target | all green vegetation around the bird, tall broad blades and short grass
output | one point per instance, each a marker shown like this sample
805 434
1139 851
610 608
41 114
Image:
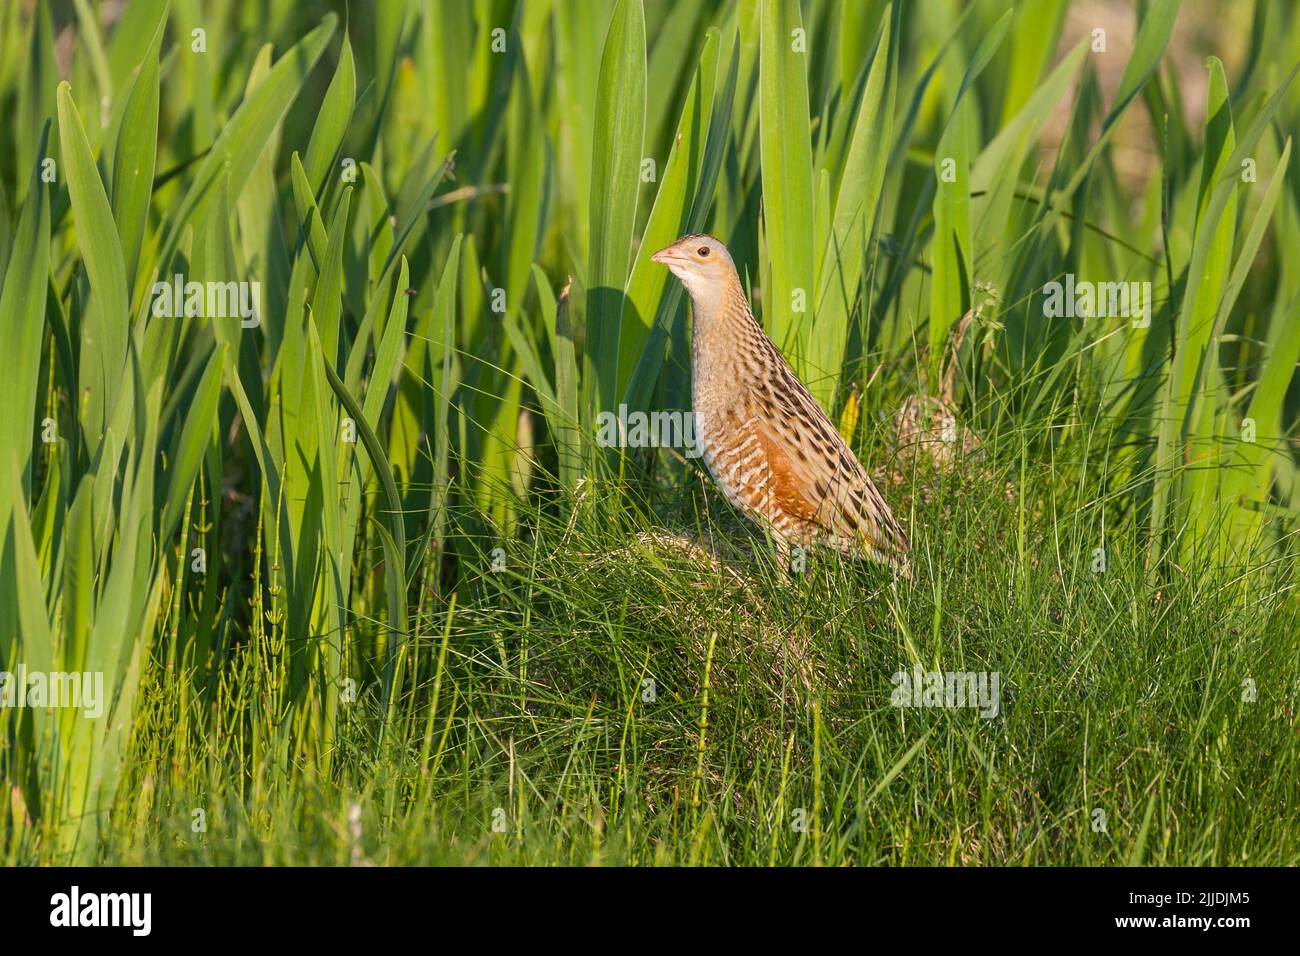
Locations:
365 590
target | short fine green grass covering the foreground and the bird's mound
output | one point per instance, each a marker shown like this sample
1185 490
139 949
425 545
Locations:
531 703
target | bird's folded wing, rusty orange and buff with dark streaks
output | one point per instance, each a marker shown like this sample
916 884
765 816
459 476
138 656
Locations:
814 475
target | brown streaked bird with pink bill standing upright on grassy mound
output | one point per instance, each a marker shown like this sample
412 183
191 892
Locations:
765 440
